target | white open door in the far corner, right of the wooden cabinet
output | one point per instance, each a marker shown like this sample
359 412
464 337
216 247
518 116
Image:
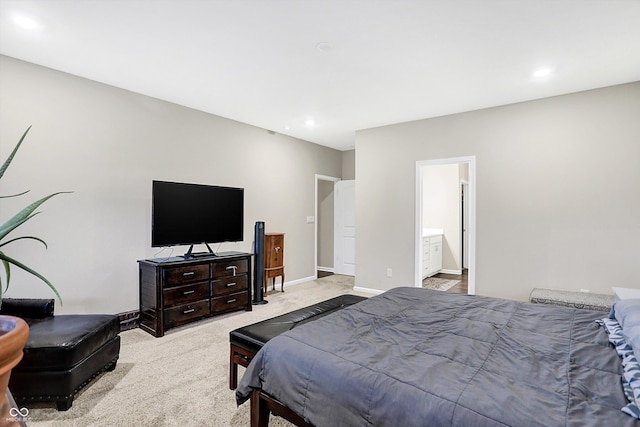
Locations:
344 251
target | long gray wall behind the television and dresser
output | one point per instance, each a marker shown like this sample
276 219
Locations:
107 145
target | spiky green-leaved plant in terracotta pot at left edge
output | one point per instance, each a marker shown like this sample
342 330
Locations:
14 331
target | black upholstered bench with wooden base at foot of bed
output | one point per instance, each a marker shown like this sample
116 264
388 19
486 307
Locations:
248 340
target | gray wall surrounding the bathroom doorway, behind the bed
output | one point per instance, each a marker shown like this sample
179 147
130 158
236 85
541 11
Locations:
558 193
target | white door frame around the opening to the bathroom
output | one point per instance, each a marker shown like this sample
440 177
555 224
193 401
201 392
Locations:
420 164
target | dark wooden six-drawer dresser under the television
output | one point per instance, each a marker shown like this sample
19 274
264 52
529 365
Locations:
176 291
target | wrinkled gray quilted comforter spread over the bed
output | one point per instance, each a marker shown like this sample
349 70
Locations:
414 357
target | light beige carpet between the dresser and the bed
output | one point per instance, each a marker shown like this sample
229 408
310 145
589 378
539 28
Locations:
181 379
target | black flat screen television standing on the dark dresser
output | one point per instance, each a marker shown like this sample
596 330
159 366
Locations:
190 214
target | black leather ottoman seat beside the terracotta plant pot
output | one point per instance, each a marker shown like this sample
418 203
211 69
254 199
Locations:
63 353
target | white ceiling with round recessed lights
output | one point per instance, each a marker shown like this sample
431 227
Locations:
384 61
